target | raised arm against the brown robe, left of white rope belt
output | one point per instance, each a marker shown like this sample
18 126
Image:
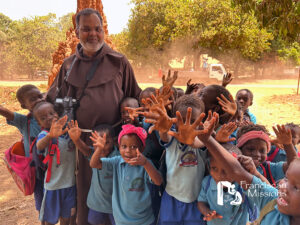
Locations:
75 133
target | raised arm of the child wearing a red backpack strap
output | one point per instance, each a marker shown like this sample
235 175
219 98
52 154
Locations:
56 130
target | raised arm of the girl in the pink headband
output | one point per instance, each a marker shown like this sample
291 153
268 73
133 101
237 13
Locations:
99 143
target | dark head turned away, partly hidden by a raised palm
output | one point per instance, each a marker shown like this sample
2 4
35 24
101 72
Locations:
209 96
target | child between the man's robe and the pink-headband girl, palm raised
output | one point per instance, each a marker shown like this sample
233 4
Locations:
99 197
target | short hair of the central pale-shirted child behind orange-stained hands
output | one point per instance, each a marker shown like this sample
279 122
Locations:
186 101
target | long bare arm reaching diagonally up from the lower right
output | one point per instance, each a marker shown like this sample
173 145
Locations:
230 164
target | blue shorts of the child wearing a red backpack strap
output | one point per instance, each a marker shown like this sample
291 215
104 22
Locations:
58 203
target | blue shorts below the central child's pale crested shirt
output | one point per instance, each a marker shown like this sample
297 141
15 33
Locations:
175 212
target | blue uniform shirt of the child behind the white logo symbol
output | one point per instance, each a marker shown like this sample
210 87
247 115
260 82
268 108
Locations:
232 214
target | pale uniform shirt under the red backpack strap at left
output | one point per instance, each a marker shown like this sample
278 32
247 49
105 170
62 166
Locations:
62 175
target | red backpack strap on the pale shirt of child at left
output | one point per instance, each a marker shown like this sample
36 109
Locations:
52 150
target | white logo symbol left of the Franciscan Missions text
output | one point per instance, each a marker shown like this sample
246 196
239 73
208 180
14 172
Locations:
231 190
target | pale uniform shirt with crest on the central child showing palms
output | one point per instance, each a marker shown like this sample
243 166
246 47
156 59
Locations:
185 170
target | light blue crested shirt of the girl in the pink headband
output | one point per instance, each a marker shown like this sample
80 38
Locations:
131 200
